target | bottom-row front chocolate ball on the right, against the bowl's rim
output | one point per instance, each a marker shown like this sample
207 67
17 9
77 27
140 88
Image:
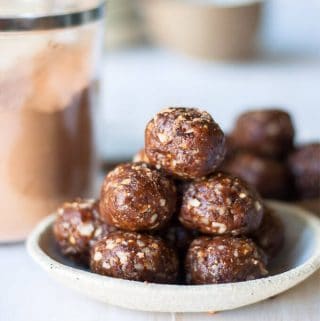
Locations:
224 259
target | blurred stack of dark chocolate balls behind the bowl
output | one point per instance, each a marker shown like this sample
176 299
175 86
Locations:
261 150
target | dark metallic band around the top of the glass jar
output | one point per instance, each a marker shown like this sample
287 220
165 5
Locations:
29 22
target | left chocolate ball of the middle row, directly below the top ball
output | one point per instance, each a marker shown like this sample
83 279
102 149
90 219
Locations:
137 197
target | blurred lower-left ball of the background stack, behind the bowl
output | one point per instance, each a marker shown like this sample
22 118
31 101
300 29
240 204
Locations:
270 177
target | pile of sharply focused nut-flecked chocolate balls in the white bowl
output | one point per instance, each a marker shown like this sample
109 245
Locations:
172 215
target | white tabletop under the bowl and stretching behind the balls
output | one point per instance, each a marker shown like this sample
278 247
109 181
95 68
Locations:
138 83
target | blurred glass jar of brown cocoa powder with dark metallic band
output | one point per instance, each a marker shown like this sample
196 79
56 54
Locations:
49 67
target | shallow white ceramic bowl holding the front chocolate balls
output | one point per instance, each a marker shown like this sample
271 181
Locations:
299 259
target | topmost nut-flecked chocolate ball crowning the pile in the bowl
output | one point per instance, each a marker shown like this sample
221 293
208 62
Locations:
185 142
